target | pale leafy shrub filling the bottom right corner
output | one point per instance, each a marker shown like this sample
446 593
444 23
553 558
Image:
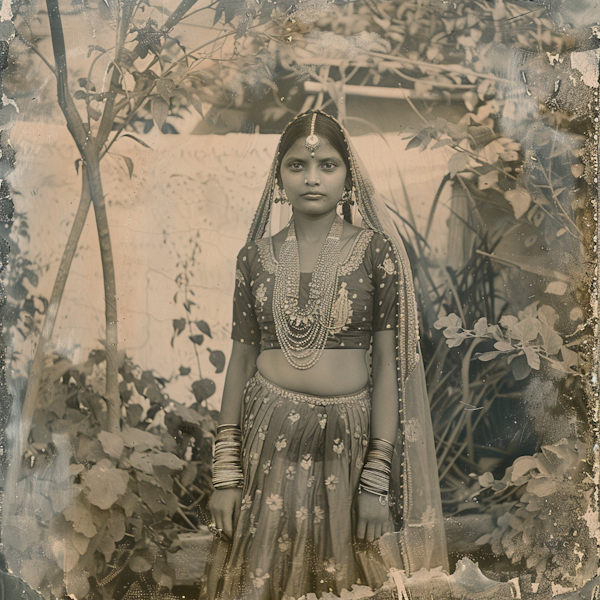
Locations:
547 527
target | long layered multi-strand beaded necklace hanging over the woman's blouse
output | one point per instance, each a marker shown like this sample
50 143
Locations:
302 332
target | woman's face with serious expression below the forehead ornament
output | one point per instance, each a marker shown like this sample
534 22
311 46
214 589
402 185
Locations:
313 185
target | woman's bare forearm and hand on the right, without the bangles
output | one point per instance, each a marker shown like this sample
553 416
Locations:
373 516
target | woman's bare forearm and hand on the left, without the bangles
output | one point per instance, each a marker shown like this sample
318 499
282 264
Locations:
225 504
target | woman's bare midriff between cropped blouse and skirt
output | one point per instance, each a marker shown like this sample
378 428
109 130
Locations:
337 372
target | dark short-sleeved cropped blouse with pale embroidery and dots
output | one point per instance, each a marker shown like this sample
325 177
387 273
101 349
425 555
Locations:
367 299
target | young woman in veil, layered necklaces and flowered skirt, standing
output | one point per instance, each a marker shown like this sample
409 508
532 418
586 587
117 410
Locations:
325 473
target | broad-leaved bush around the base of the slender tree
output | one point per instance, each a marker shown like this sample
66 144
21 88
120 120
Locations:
115 500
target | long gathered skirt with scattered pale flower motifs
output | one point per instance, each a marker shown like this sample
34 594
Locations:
302 457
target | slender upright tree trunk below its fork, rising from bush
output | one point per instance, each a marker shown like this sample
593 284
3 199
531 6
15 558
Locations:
112 397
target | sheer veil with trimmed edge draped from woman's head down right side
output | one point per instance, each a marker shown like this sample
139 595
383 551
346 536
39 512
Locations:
415 481
